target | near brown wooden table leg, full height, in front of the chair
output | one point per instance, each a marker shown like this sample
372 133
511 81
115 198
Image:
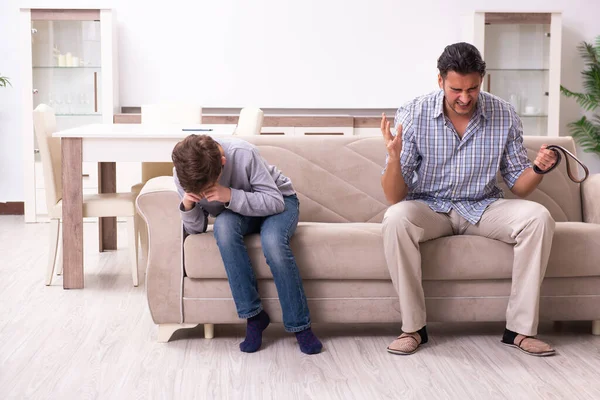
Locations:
72 213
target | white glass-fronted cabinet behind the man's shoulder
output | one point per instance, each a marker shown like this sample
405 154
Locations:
522 52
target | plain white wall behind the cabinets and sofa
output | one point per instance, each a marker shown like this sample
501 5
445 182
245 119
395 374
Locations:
277 53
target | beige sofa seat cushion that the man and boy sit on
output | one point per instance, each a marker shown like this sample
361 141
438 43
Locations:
355 251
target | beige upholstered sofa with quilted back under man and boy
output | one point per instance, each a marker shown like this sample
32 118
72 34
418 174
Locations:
338 246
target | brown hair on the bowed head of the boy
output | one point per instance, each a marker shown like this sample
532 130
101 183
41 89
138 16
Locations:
197 161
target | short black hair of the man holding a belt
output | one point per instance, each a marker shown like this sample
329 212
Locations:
462 58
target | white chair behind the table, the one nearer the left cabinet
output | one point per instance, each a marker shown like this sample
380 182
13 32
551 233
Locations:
168 113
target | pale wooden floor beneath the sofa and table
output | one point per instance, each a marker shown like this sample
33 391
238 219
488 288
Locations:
100 343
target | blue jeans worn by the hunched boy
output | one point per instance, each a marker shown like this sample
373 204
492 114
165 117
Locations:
275 233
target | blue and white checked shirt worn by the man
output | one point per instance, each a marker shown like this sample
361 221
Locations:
448 172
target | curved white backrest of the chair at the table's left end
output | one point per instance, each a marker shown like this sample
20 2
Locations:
44 125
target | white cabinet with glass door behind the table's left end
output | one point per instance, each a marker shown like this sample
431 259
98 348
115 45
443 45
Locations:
66 68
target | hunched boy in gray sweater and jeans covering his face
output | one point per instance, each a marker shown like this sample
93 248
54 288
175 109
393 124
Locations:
227 178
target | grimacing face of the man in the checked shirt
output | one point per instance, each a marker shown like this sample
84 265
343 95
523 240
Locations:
461 91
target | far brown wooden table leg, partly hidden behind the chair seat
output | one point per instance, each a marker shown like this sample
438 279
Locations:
107 226
